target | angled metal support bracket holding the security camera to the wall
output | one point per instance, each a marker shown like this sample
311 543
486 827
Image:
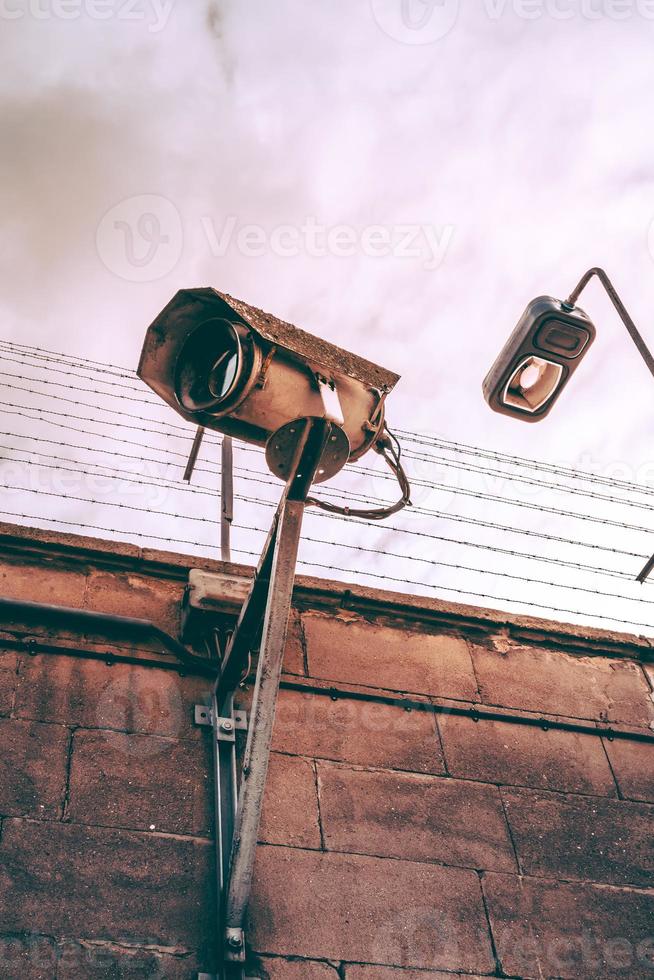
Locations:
262 624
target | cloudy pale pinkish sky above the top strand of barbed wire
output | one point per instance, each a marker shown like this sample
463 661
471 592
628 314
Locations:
398 176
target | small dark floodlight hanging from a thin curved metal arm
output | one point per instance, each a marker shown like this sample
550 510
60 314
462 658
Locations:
545 349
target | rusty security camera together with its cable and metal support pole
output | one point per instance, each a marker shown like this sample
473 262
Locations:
225 365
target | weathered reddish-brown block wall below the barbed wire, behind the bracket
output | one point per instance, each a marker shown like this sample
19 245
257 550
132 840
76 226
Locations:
404 837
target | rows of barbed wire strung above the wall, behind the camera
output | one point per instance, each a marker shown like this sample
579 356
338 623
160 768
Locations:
113 430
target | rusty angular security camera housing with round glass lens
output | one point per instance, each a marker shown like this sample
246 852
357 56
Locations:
226 365
